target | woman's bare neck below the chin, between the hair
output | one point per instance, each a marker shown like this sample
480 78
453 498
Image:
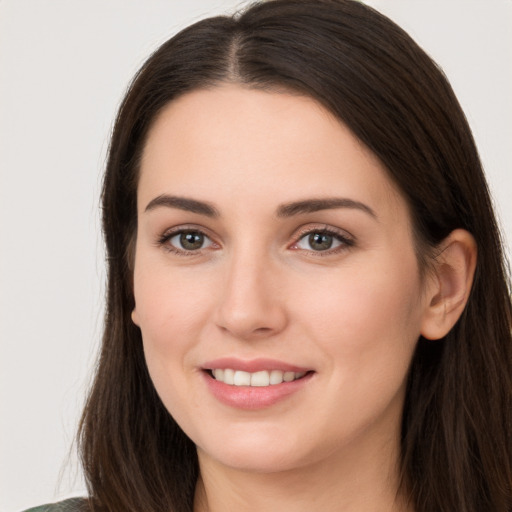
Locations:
354 480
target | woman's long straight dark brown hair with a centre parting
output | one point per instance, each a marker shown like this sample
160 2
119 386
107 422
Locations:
456 430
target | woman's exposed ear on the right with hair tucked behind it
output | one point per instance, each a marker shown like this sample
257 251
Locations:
450 284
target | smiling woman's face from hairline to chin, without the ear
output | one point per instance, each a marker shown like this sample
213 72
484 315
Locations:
272 246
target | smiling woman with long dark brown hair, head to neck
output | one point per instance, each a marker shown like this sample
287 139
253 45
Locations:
307 303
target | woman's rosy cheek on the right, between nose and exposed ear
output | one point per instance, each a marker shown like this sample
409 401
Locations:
366 317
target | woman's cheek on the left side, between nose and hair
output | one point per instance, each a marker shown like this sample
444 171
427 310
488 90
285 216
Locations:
172 308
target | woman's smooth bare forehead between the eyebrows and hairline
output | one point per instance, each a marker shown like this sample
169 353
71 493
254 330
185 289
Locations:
234 142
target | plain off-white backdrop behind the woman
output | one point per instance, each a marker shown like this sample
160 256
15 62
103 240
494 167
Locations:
64 65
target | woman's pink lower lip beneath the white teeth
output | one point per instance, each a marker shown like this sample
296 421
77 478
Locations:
254 397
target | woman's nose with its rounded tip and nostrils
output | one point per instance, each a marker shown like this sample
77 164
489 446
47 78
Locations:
251 304
